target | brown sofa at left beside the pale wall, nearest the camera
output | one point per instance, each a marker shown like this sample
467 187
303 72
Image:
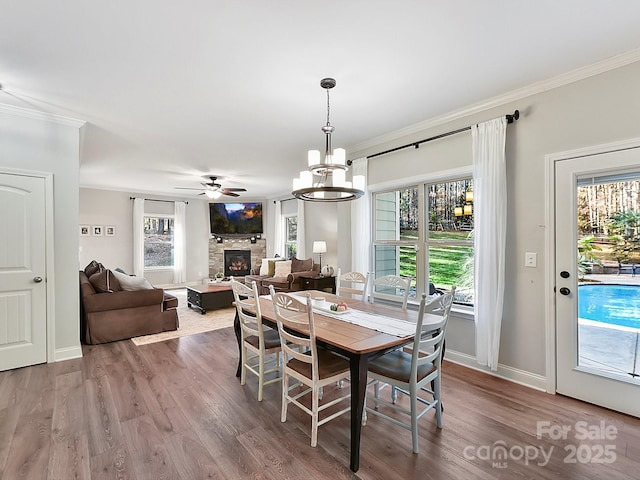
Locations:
109 314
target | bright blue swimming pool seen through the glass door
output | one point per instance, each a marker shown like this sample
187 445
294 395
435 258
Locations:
610 303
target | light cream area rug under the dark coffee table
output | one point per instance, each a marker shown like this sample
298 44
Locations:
191 321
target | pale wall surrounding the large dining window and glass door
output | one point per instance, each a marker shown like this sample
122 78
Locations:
599 109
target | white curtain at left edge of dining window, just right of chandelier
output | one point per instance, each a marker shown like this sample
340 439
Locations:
361 223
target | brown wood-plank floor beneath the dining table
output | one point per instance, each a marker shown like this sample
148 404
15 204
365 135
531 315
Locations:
175 410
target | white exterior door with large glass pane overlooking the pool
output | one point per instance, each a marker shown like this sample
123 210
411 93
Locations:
576 376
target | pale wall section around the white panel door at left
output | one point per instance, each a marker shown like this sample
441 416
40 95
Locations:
34 141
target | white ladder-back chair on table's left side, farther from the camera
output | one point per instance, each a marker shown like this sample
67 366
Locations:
258 342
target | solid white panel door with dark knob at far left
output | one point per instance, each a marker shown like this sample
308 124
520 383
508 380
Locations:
23 321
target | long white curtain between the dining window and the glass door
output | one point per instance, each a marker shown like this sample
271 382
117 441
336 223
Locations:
490 227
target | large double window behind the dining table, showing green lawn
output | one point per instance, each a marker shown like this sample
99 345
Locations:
424 231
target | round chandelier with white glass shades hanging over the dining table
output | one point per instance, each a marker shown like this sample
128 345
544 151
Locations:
325 179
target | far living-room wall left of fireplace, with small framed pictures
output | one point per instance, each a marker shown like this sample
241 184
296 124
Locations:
105 207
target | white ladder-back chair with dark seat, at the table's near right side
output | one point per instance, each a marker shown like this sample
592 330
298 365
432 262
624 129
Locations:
412 372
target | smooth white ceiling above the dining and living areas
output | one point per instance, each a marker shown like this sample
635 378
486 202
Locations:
175 91
